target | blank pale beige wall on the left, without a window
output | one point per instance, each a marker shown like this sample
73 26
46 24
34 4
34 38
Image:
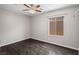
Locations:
13 27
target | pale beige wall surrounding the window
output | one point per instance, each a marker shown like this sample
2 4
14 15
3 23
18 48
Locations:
71 28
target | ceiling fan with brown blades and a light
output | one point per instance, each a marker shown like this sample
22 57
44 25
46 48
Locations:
32 7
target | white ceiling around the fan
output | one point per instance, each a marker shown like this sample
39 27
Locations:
46 7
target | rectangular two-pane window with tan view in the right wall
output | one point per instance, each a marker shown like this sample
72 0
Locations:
56 26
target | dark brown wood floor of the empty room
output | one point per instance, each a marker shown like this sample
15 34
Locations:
34 47
